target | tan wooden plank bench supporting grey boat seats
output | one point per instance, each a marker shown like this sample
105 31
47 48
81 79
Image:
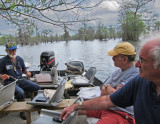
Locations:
27 108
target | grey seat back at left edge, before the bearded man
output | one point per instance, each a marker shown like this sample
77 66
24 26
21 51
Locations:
7 94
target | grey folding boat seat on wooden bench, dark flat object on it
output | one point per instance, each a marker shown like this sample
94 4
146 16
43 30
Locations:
55 100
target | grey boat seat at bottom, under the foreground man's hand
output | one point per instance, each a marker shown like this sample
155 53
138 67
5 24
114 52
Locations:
46 116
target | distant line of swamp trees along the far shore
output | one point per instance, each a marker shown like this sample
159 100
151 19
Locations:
25 37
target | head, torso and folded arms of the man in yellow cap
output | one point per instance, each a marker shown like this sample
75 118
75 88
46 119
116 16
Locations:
123 56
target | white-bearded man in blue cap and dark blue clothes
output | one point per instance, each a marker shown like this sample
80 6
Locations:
12 67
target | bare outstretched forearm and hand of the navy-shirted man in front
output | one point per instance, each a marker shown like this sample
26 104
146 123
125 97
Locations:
100 103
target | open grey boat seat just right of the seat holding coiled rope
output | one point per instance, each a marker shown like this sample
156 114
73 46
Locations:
85 80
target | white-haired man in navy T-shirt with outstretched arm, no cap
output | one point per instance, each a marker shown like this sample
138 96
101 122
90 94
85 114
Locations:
143 91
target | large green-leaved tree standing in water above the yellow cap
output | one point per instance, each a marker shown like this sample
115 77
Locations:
134 18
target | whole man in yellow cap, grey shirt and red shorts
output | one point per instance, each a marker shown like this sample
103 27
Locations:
123 57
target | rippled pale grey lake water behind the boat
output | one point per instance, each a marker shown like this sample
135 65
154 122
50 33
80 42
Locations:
92 53
